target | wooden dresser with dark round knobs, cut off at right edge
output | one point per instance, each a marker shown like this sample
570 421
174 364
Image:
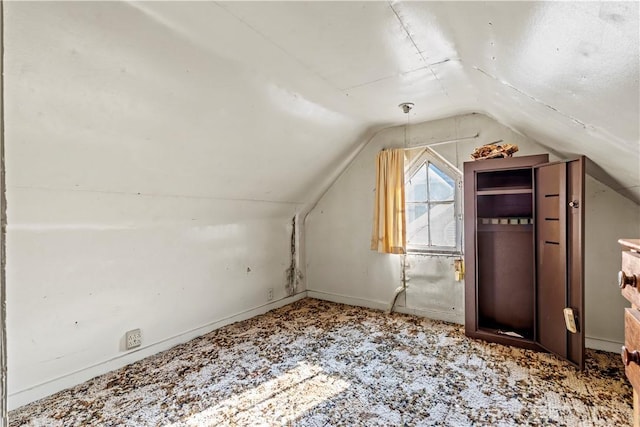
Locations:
628 280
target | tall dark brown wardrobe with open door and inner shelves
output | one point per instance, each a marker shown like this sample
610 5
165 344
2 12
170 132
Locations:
524 234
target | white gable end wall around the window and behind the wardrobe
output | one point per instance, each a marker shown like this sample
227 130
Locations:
341 267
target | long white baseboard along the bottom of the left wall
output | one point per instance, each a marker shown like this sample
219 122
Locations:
47 388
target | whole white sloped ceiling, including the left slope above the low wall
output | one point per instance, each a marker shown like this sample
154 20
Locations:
269 98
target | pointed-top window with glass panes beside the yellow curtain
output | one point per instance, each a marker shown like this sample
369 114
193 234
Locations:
432 198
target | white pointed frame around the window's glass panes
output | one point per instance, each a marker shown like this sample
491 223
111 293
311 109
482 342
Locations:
429 156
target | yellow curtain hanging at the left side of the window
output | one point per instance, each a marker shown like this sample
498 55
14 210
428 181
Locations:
389 227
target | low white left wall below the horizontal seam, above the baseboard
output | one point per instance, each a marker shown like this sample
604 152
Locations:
84 267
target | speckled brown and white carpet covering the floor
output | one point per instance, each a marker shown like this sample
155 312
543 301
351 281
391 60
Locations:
315 363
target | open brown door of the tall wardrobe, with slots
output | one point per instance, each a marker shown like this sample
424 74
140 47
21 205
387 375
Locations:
559 258
